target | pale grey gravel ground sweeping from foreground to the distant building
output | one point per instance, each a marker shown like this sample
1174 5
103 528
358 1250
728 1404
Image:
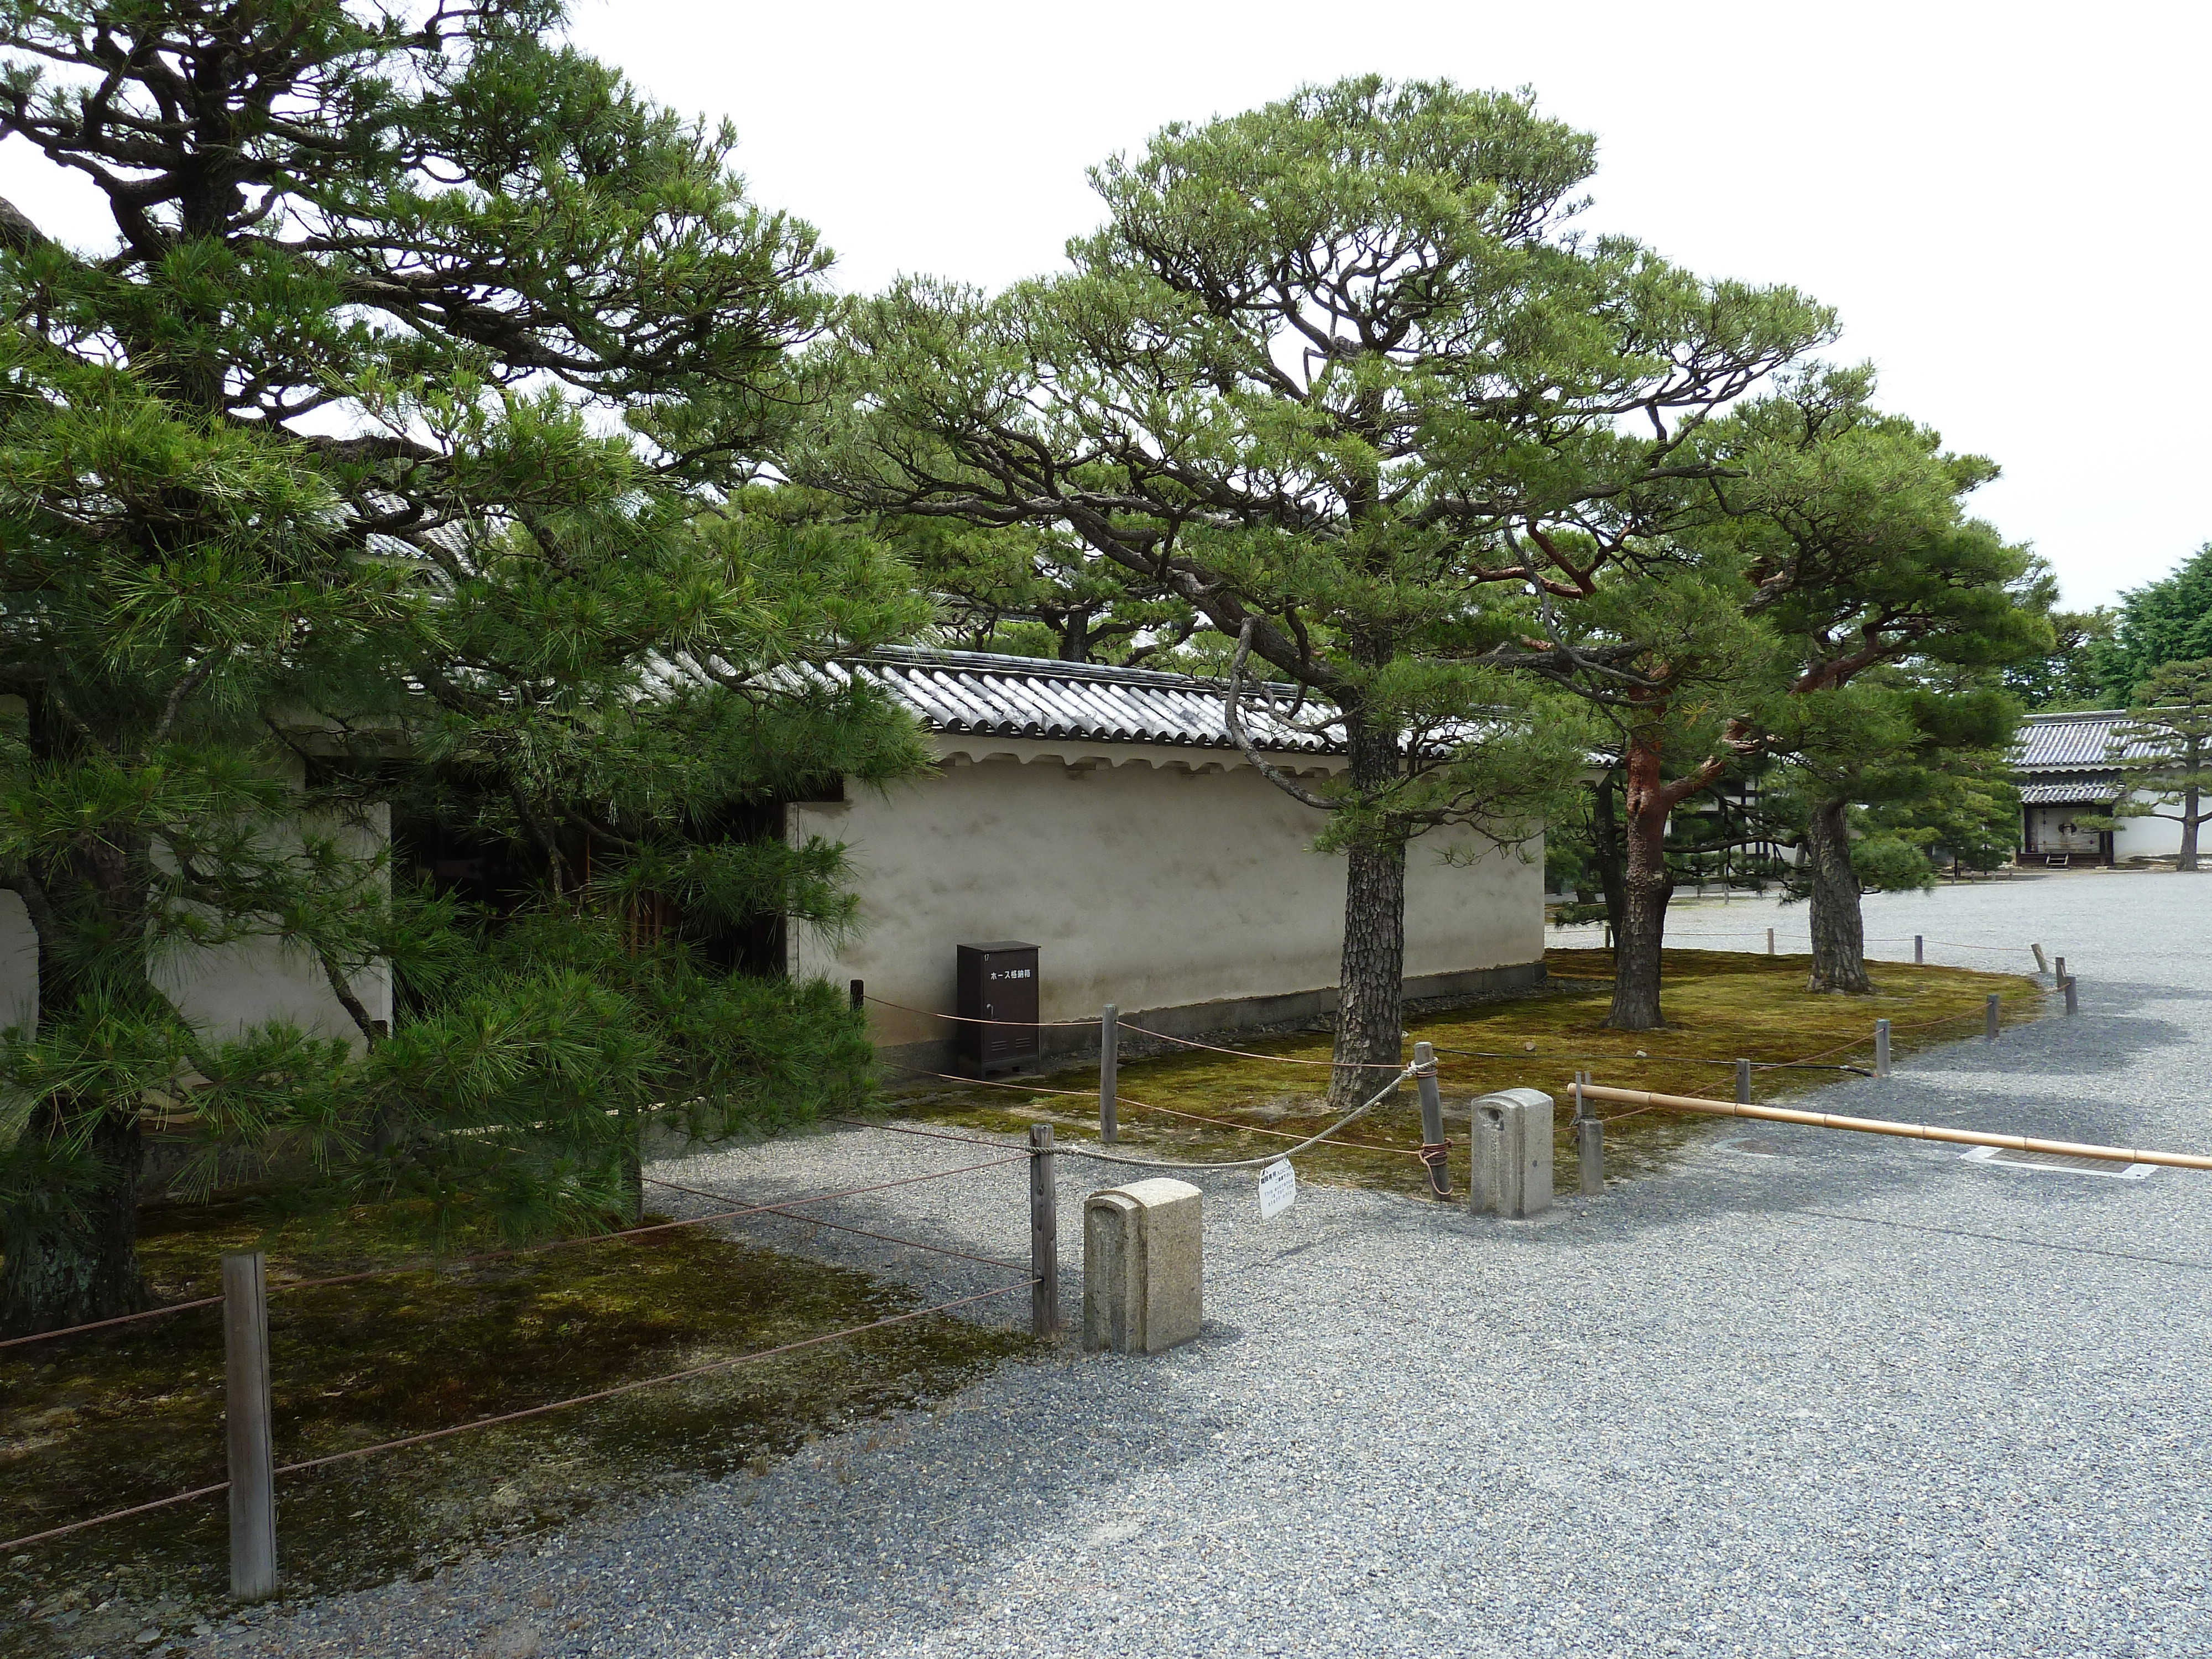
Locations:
1819 1395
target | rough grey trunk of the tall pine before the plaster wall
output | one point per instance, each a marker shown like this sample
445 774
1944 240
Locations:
1370 1001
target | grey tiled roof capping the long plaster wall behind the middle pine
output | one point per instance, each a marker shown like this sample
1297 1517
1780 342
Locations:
972 691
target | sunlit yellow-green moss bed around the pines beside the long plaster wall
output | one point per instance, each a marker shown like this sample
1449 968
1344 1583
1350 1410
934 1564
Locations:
1720 1005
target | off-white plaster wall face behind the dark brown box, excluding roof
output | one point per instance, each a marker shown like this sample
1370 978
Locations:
1142 881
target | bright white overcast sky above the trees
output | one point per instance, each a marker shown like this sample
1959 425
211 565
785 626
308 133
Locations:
2007 202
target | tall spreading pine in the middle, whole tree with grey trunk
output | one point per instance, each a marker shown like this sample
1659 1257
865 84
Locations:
1339 377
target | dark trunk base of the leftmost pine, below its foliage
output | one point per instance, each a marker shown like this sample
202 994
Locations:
83 1271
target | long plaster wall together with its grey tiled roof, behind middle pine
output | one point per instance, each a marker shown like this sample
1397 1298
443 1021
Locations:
1107 817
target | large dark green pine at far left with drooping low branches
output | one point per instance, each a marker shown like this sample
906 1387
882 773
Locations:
395 459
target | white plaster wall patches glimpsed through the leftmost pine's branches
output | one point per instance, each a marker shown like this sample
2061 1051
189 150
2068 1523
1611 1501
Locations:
231 988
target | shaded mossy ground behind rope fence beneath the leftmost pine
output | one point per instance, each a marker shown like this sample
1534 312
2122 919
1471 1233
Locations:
114 1419
